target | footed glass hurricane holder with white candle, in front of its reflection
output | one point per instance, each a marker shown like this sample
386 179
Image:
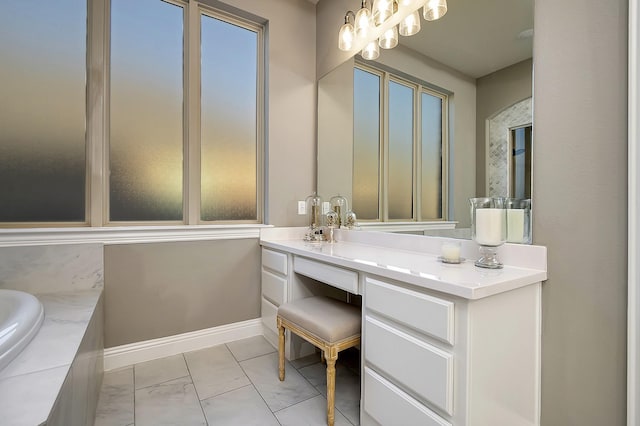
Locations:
488 229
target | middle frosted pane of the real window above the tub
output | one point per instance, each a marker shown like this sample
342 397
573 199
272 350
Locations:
146 129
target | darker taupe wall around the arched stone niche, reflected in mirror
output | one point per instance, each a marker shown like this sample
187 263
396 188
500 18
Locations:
495 92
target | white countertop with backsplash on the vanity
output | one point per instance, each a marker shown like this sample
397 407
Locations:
414 259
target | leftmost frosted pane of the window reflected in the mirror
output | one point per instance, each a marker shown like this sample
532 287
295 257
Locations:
366 144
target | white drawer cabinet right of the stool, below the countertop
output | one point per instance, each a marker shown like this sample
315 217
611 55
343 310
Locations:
433 359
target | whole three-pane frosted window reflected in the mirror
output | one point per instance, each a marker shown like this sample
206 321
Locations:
399 163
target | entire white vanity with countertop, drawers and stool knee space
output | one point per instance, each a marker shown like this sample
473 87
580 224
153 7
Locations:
442 345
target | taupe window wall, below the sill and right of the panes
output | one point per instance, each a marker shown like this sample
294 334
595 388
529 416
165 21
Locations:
162 289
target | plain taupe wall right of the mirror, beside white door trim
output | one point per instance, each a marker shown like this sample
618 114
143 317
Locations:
580 205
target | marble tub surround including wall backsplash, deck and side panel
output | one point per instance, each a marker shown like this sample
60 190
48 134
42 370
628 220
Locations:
55 380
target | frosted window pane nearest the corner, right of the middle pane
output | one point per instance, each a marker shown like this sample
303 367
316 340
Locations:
229 127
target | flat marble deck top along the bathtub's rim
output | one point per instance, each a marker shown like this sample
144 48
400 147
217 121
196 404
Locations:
30 384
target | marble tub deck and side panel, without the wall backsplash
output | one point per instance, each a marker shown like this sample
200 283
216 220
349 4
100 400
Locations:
56 377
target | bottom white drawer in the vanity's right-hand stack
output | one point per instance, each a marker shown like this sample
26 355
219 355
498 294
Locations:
388 405
